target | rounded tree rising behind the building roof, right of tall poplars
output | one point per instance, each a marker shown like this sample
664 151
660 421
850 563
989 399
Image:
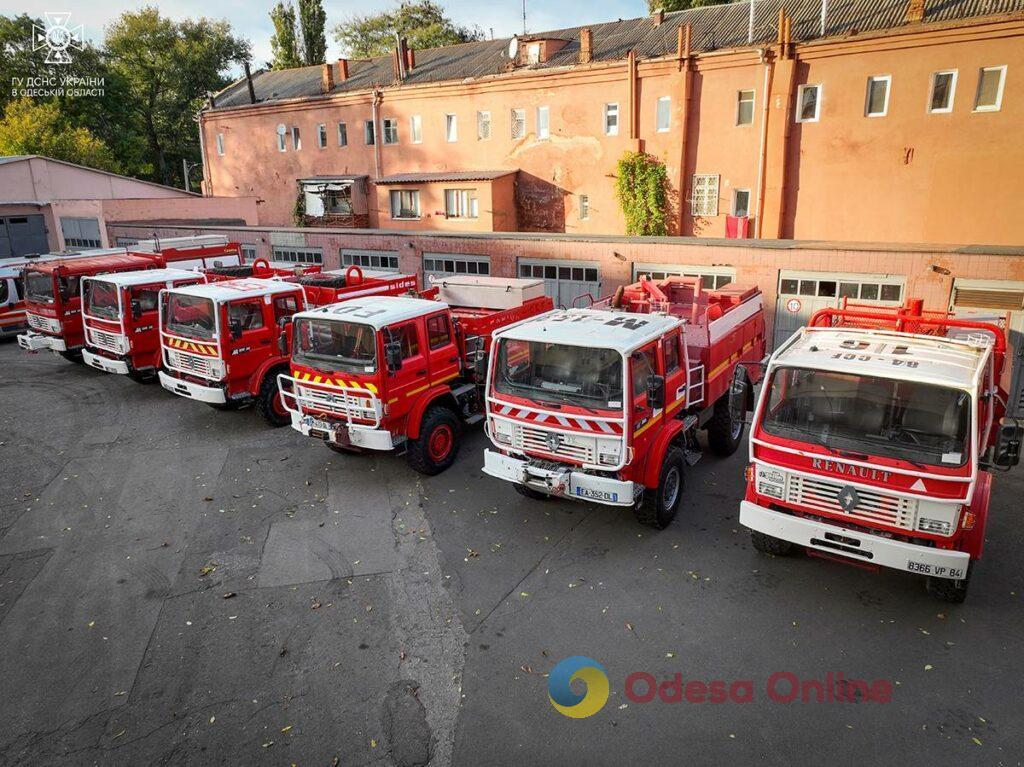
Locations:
423 22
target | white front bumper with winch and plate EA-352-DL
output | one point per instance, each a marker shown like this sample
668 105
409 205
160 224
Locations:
564 482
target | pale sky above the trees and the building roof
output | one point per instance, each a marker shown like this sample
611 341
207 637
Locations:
249 18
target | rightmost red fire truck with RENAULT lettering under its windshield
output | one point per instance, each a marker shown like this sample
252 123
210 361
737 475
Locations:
874 440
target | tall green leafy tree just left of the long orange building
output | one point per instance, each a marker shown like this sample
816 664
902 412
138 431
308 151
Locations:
168 68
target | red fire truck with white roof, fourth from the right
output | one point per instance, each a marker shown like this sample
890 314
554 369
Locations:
226 343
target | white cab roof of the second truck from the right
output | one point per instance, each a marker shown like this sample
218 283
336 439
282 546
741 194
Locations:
621 331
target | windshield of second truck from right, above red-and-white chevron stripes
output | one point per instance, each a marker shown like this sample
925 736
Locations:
556 373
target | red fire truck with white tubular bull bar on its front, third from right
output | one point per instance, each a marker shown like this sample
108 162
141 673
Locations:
376 374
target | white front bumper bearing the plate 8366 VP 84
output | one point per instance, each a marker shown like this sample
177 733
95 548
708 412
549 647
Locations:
857 546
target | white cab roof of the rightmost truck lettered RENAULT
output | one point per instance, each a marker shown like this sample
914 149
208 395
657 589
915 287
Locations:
935 360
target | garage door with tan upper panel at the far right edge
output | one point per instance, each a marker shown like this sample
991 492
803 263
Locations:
994 301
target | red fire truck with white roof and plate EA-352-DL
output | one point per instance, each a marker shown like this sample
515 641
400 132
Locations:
604 404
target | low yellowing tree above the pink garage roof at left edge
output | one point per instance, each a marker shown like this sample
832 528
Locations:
39 129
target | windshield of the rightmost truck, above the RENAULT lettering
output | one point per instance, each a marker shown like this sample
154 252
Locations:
906 420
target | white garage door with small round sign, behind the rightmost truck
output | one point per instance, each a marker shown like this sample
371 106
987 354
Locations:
803 293
